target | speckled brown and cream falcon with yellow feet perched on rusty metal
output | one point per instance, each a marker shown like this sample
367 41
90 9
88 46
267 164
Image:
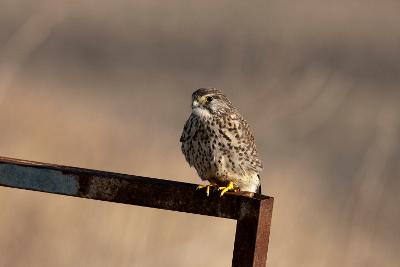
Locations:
217 141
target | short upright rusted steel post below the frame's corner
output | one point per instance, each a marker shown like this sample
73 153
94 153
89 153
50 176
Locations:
252 236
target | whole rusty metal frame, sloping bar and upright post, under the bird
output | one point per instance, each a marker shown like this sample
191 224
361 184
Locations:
253 213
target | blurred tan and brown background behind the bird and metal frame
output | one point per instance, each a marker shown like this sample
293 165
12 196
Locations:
107 85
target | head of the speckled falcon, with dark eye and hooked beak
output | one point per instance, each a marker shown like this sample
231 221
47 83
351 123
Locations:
207 102
